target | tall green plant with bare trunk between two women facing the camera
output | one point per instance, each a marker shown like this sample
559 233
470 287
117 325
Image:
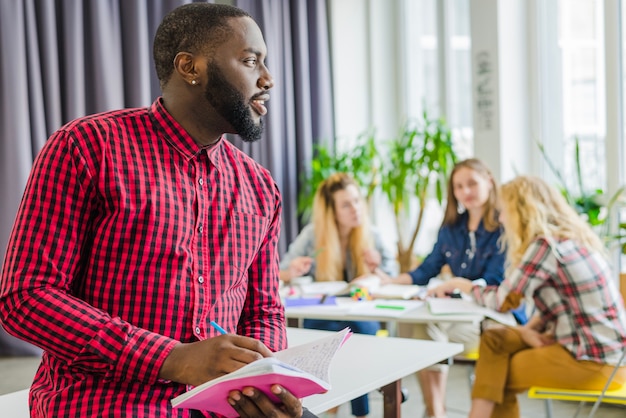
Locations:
417 166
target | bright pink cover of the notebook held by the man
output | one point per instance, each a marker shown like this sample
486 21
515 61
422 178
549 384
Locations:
214 397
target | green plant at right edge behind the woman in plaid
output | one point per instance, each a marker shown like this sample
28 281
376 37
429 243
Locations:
593 204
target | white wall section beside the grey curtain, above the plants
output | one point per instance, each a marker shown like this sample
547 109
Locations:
365 57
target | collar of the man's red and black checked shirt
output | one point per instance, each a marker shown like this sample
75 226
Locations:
179 138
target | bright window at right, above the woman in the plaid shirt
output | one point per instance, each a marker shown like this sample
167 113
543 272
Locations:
574 56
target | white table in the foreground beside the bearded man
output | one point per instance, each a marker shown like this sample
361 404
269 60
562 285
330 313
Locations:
366 363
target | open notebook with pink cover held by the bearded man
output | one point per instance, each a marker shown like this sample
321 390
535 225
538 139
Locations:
303 370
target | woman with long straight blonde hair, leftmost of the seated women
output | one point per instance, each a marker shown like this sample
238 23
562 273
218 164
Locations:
339 245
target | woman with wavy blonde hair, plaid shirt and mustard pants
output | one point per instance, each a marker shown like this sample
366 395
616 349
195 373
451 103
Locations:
557 262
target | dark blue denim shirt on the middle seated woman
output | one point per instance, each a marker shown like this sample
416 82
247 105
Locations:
454 248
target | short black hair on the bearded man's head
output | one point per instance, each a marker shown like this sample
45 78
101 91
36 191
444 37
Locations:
193 28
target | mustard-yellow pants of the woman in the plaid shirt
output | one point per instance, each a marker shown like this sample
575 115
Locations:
507 366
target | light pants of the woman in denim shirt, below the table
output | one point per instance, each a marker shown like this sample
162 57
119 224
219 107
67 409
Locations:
463 333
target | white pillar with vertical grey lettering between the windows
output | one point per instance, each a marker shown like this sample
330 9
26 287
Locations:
500 85
